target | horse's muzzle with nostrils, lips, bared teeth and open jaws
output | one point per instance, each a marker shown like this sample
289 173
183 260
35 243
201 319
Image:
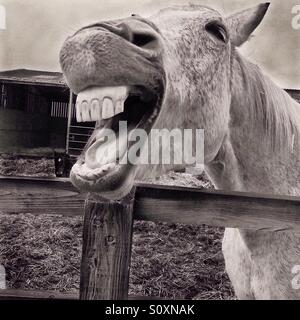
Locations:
115 68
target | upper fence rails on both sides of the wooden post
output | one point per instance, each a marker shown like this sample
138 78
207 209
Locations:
159 203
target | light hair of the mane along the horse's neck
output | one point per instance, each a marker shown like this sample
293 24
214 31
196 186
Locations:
271 106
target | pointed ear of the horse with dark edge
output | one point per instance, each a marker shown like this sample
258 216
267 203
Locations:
243 23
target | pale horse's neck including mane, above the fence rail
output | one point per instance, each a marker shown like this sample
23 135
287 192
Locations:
261 151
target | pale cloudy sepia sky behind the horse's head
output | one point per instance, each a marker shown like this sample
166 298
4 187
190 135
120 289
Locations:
36 29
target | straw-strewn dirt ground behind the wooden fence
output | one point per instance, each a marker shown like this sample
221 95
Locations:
168 260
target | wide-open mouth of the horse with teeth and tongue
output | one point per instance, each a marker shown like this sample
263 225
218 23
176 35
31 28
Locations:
103 166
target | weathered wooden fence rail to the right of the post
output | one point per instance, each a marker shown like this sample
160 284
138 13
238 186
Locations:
217 208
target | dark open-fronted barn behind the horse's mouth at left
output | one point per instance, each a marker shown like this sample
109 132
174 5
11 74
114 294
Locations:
37 116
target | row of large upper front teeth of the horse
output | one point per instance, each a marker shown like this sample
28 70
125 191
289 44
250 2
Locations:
97 103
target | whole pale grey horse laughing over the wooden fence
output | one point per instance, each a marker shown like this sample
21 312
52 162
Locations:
181 68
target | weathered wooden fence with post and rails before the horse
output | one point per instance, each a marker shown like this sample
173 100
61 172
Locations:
108 225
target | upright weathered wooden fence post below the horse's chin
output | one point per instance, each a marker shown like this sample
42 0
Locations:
107 236
